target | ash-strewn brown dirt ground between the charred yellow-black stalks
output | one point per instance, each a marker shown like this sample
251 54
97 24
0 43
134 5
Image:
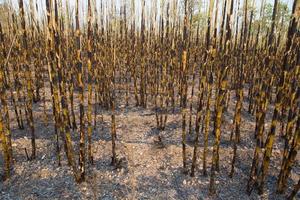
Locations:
148 170
